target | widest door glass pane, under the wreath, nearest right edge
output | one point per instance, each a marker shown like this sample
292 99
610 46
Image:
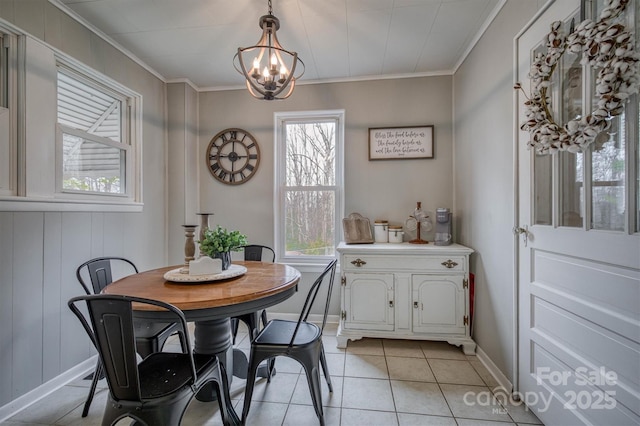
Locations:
608 177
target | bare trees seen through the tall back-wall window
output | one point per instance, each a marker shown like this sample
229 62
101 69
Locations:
310 188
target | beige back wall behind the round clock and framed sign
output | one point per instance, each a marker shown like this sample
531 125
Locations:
375 189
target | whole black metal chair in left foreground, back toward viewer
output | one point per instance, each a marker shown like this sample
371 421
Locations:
159 388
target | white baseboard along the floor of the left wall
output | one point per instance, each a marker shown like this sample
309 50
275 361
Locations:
33 396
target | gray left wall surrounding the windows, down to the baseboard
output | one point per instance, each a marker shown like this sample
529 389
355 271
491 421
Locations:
39 251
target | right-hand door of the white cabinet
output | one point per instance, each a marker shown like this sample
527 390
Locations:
438 304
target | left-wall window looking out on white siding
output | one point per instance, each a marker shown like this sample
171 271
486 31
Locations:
92 136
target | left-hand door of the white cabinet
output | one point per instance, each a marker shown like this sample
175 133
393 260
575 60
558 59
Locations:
368 301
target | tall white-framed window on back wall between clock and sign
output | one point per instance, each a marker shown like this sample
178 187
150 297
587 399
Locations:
309 184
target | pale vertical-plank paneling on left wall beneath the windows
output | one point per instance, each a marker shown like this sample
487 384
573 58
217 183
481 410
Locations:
39 254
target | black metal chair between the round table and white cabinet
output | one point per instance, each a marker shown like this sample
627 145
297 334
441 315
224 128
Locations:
300 340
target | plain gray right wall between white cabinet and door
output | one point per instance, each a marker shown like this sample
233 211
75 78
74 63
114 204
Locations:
484 178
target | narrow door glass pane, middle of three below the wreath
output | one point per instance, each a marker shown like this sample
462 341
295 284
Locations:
571 189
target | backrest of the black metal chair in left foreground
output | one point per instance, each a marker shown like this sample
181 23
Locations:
112 332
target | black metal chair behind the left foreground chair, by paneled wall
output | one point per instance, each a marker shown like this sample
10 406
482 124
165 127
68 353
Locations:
150 336
